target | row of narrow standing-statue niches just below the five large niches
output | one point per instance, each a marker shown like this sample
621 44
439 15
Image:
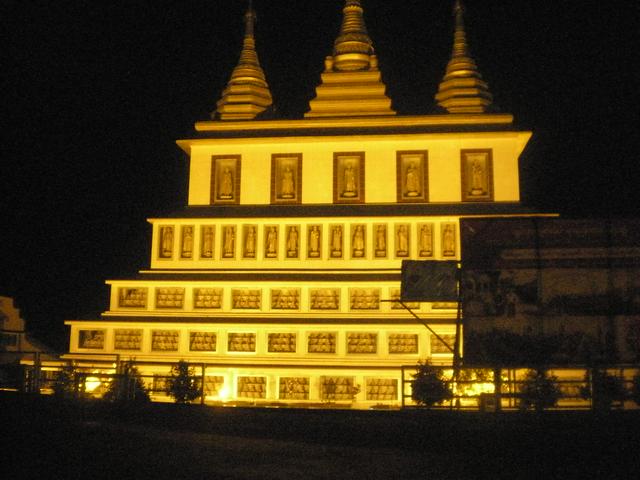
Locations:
314 243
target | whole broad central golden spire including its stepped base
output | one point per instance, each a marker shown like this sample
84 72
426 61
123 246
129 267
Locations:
351 82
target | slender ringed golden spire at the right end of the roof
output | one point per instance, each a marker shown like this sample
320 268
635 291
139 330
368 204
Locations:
462 89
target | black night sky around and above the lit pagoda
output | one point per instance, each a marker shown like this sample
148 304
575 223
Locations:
95 93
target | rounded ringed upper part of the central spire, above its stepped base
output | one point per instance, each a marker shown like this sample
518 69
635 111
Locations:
353 48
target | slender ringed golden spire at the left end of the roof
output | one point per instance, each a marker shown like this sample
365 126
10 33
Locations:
247 93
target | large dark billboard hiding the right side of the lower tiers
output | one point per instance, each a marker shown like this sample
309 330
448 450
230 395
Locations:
574 281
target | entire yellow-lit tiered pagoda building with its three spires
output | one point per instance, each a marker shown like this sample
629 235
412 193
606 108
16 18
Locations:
278 276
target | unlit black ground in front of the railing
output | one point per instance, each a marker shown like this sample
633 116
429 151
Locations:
46 438
